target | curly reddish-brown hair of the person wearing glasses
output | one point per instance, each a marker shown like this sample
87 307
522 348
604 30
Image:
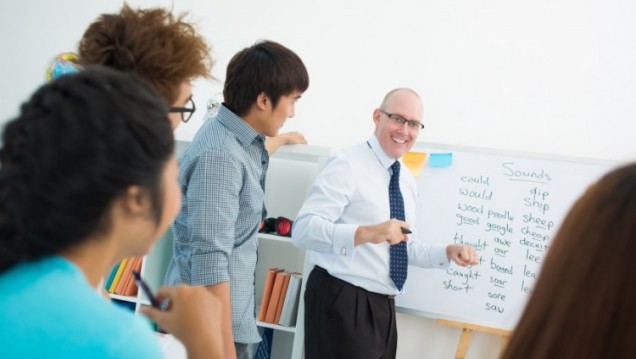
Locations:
161 48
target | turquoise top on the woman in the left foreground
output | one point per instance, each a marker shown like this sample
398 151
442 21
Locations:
49 310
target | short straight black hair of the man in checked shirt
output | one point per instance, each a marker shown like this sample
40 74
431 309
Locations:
267 67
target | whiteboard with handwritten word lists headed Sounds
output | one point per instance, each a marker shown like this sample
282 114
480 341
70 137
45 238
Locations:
508 206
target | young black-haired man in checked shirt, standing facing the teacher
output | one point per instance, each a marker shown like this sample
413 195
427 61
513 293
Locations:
222 178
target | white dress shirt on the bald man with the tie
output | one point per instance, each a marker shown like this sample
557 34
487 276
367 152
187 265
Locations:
353 190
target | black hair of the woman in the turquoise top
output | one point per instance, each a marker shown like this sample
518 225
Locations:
78 143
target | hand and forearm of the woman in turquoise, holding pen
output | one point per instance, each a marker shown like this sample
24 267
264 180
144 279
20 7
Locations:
195 317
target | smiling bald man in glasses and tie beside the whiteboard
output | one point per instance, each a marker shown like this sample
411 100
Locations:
355 223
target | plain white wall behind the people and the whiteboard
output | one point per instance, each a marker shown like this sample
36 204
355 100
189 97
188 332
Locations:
550 76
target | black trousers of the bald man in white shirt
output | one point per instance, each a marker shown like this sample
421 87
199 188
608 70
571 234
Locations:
345 321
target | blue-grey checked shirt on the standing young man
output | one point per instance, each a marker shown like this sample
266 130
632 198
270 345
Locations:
222 179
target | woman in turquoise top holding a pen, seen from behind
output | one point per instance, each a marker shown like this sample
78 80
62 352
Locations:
88 177
